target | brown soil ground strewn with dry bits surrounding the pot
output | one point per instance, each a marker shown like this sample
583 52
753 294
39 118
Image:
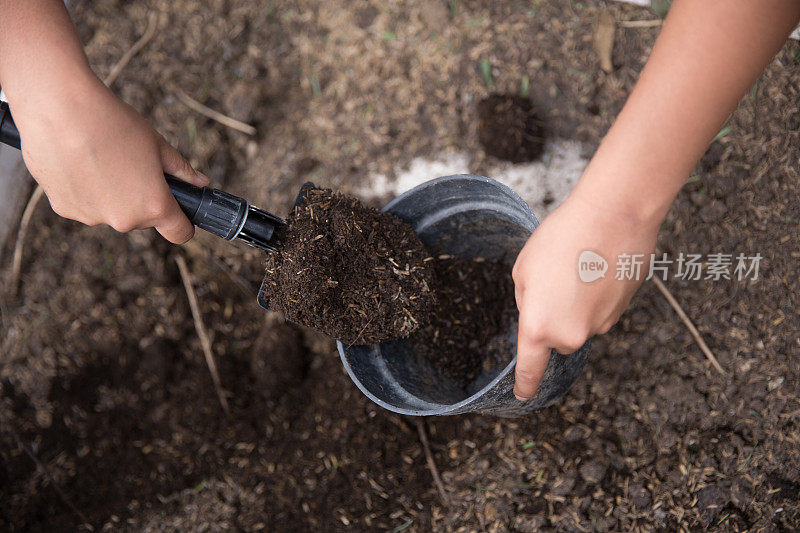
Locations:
103 379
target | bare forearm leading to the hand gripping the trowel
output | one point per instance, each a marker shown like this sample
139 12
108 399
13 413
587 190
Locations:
40 53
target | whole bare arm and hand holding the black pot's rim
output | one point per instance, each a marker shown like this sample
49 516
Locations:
709 53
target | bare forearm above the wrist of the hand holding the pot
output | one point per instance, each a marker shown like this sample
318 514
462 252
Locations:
708 55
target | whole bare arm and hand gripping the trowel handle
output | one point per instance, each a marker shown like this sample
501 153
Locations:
97 159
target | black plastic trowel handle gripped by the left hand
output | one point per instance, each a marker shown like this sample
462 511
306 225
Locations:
215 211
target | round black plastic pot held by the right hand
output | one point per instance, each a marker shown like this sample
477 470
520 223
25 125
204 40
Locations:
467 216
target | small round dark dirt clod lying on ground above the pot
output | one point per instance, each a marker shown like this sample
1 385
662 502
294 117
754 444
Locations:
509 128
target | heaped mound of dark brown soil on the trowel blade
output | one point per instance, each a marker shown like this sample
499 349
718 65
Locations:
350 271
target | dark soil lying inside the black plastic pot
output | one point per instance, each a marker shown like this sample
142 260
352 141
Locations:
475 307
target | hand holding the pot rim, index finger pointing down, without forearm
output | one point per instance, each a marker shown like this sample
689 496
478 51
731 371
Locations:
556 309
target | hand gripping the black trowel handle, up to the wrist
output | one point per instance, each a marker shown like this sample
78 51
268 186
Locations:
100 162
